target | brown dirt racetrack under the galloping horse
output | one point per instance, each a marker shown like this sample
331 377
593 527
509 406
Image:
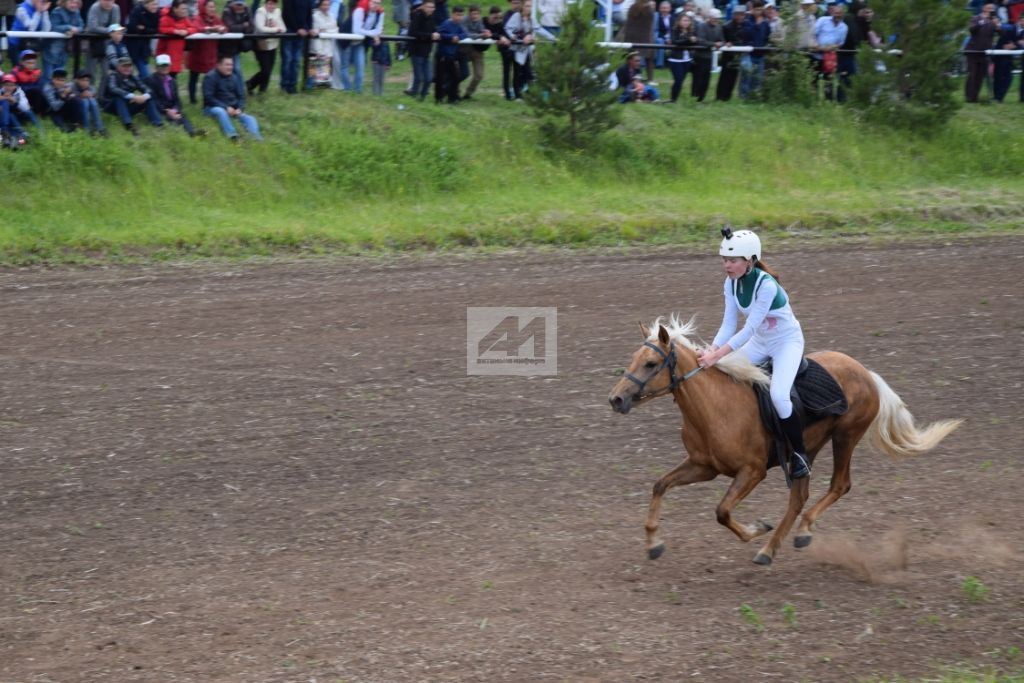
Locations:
280 472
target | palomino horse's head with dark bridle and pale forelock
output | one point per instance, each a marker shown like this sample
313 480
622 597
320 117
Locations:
652 372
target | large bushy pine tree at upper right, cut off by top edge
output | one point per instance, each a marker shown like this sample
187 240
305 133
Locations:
911 91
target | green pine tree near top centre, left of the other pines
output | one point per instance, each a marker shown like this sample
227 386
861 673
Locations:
571 93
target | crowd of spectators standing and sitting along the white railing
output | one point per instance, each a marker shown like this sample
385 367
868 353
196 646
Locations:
135 54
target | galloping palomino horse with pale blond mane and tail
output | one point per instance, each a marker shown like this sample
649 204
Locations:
723 434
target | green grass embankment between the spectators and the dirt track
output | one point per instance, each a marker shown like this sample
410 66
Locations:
349 174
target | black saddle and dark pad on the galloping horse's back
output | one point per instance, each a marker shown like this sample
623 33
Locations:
816 396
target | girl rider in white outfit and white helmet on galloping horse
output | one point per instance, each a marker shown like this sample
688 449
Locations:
772 331
